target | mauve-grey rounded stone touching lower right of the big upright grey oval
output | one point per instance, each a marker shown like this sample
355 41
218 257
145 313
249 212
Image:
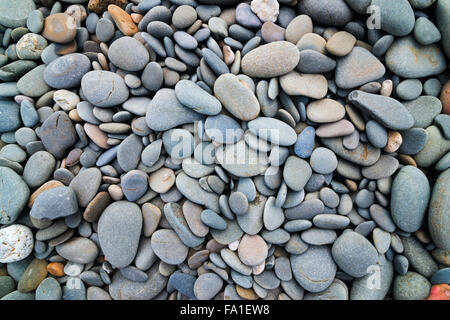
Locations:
168 247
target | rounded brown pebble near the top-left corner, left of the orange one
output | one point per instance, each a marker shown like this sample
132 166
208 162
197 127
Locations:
60 28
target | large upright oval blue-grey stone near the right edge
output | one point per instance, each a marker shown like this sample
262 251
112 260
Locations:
409 198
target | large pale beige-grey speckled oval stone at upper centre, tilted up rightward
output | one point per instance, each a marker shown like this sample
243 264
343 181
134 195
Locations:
258 62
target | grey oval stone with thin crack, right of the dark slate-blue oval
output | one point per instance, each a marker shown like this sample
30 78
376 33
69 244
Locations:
104 88
